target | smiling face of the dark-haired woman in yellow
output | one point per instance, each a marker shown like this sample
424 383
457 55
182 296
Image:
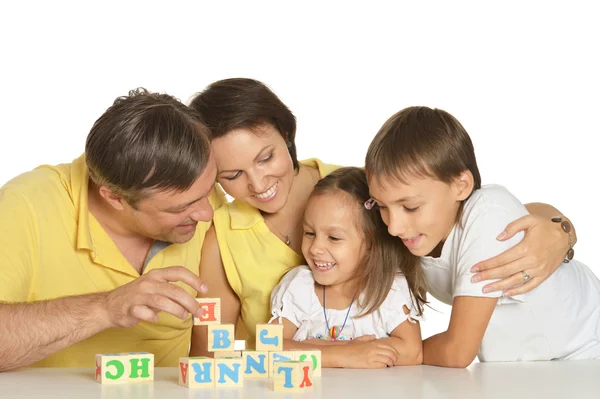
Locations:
254 166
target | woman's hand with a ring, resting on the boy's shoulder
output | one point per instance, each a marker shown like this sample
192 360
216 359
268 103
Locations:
539 254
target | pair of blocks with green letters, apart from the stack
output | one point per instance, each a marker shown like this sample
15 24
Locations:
113 368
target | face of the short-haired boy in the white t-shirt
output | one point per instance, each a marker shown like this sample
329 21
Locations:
422 213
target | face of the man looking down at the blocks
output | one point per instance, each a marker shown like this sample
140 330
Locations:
172 216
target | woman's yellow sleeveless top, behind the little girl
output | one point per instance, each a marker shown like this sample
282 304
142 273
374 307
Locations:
254 258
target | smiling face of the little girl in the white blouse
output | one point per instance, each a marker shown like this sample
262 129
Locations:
332 243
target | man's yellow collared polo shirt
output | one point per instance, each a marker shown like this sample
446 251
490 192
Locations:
52 246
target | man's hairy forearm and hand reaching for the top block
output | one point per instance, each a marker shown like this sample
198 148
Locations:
32 331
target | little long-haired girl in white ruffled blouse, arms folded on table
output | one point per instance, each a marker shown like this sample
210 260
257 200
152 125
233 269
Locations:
350 301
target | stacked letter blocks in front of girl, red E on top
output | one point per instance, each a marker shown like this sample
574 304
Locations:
291 370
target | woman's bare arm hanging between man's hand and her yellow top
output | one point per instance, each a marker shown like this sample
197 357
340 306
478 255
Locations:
212 273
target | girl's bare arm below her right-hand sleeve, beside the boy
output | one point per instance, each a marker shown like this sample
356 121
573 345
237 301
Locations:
406 339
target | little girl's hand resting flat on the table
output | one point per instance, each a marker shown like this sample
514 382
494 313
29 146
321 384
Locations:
368 355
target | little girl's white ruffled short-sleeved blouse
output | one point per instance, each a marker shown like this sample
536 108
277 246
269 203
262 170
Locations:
294 298
